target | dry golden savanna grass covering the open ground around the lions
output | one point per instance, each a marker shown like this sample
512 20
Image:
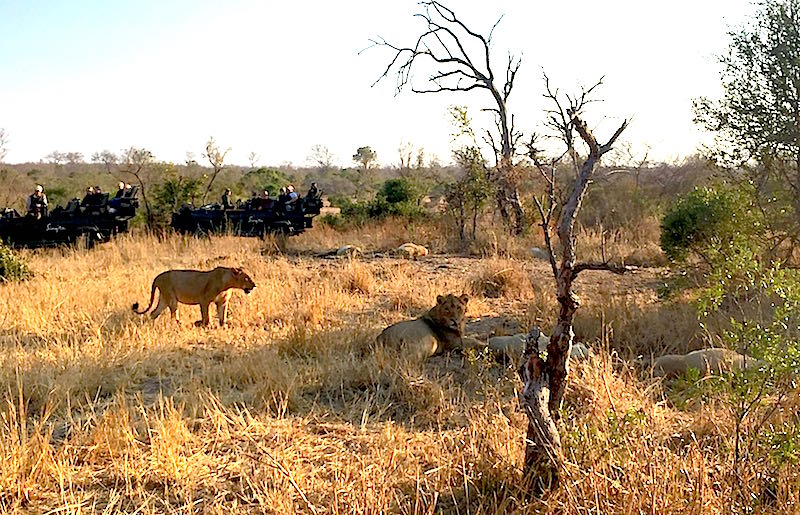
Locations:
292 410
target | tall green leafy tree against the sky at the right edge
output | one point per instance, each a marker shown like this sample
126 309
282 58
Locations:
757 120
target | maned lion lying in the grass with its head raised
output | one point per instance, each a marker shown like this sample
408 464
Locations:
438 330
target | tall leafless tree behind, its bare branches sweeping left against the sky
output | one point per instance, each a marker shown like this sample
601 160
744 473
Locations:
443 45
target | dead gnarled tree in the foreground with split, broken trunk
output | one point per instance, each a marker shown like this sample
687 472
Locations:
545 379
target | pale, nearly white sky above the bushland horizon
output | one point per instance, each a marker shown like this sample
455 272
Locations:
276 78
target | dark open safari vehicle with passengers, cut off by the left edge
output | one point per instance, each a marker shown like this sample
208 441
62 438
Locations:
94 220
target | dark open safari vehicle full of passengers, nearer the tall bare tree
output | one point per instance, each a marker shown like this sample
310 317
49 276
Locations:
253 217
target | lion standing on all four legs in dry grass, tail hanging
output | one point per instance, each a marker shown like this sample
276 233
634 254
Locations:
196 287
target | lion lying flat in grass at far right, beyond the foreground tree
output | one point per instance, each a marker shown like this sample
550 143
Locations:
707 361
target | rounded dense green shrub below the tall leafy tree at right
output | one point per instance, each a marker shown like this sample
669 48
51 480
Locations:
712 223
